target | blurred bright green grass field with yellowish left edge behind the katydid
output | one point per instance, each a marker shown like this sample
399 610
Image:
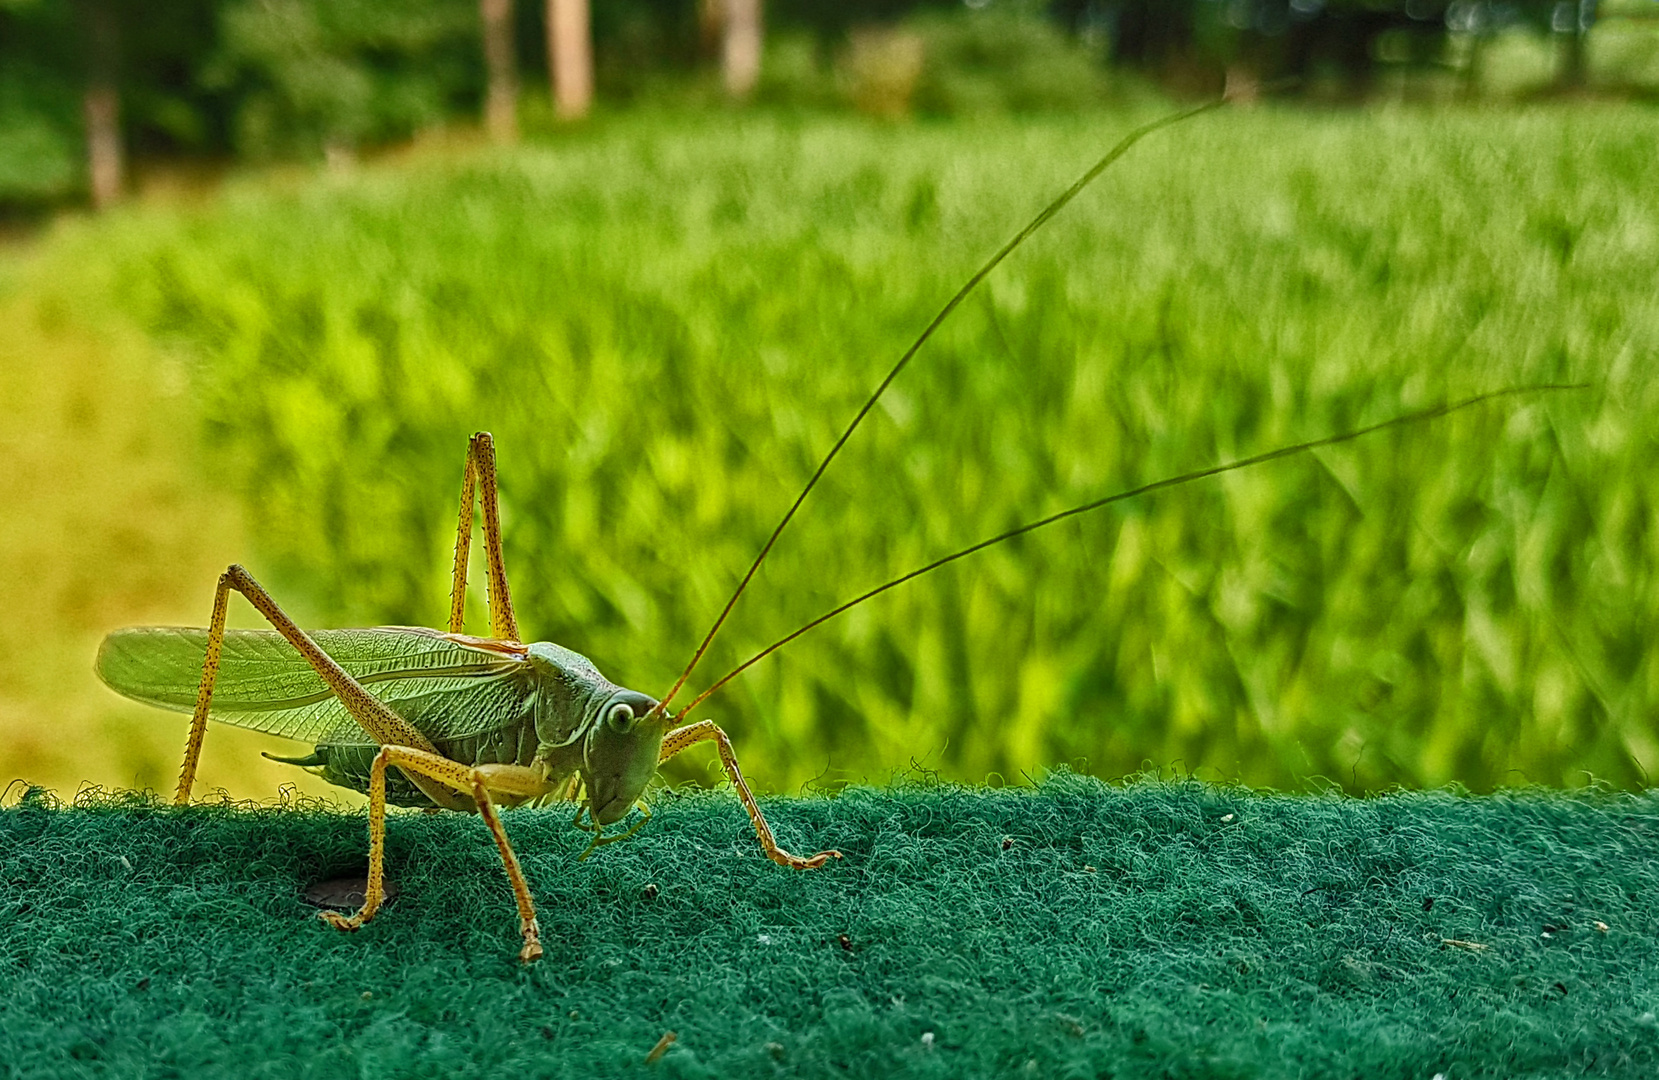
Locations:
666 321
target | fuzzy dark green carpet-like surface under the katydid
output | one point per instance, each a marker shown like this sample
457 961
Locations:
1076 930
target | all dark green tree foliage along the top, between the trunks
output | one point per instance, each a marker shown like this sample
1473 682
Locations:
299 77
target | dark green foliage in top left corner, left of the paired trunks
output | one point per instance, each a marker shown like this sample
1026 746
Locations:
216 77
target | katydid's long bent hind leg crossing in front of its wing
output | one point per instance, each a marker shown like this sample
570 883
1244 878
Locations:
376 716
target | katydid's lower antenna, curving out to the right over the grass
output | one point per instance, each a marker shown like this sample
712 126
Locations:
1159 485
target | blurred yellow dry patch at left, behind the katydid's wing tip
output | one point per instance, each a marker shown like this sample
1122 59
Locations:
109 522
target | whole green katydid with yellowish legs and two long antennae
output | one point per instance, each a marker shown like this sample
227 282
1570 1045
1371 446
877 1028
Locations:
447 721
